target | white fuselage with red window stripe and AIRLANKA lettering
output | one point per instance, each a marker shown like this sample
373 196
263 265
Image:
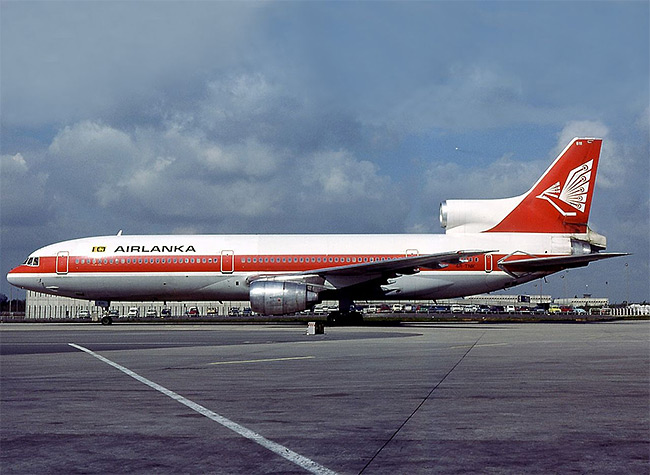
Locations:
220 267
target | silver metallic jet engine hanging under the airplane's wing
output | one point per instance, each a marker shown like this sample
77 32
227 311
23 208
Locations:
270 297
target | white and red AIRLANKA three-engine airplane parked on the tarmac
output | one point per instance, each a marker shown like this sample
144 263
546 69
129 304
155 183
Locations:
488 245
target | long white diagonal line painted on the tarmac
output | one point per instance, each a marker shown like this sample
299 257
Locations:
274 447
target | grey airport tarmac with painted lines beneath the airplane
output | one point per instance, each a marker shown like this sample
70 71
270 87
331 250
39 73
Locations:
430 398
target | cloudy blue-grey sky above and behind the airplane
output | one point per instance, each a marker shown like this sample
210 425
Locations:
285 117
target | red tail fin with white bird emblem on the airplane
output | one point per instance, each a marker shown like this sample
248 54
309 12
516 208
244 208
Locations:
560 201
